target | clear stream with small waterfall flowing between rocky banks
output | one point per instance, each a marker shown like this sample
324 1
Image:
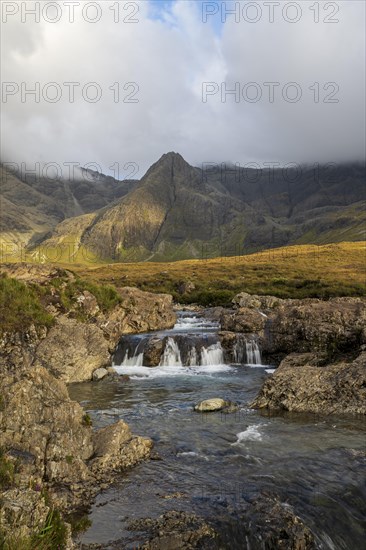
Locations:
215 464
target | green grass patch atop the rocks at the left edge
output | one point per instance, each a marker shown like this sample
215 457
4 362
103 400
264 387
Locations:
20 307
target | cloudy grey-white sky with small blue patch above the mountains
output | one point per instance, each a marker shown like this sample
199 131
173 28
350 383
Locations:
169 52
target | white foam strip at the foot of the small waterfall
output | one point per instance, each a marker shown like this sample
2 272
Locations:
136 373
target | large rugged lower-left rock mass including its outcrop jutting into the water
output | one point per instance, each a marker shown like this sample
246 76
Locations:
53 441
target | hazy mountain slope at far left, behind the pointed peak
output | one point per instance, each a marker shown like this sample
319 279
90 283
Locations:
31 207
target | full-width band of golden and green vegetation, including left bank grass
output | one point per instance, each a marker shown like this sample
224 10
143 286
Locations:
306 271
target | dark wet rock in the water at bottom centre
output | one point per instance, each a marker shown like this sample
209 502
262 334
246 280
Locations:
175 530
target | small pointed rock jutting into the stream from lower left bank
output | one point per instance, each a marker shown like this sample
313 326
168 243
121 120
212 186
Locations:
115 448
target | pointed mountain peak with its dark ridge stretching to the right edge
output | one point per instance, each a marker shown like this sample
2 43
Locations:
177 211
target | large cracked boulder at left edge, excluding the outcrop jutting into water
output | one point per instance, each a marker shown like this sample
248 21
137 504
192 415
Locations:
38 417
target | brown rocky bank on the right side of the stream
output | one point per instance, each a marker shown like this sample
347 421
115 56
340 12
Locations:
319 346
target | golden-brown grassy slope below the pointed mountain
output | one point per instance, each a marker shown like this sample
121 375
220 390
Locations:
294 271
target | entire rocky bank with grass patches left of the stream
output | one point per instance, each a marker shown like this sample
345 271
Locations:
52 461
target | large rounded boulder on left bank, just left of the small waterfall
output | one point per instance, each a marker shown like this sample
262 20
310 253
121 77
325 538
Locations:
72 350
